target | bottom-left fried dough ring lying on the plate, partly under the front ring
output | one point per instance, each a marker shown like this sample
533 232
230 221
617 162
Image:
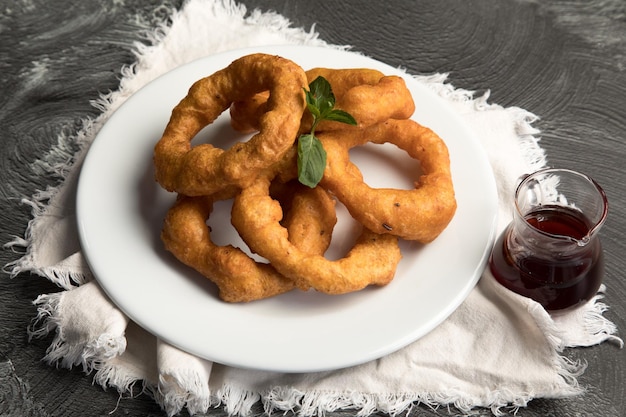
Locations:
310 219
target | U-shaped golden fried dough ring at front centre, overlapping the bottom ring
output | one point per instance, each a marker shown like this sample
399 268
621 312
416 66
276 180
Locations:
372 260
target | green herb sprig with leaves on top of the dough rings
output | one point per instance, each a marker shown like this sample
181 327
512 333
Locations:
320 101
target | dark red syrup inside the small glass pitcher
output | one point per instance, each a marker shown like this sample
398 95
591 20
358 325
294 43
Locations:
557 281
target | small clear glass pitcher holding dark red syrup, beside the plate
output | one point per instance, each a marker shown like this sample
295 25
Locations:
551 251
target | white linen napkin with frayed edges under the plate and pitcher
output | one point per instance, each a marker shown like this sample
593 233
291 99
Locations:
471 360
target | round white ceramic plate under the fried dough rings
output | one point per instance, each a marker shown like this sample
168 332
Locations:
120 210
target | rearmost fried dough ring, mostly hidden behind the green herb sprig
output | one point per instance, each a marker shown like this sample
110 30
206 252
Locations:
367 94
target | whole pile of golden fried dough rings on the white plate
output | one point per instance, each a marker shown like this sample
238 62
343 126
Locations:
281 220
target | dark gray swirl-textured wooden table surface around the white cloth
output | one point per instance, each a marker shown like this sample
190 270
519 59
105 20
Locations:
564 61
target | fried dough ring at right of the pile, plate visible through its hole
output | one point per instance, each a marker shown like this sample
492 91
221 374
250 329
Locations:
420 214
